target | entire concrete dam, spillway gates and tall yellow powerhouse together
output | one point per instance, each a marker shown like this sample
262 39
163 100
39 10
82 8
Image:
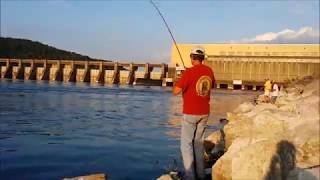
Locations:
236 66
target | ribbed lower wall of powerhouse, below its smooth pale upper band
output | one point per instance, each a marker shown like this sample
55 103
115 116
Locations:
253 70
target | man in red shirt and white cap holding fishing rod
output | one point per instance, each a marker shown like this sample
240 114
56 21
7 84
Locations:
195 85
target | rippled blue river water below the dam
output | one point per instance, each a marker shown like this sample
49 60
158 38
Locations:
52 130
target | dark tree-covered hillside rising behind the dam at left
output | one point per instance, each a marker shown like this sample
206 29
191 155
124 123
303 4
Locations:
23 48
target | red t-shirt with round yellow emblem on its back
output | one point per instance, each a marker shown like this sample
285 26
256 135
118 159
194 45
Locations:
196 83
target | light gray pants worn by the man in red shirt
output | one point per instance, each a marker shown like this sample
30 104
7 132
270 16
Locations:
192 136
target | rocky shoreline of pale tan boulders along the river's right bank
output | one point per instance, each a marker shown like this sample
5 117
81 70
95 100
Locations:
272 141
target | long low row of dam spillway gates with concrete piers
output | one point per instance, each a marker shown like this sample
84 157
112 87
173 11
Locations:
81 71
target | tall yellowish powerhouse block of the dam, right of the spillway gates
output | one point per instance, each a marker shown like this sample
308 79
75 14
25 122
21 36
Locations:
246 66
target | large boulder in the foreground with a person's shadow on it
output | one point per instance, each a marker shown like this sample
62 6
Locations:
243 162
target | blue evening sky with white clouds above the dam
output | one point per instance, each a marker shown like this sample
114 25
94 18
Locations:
133 31
